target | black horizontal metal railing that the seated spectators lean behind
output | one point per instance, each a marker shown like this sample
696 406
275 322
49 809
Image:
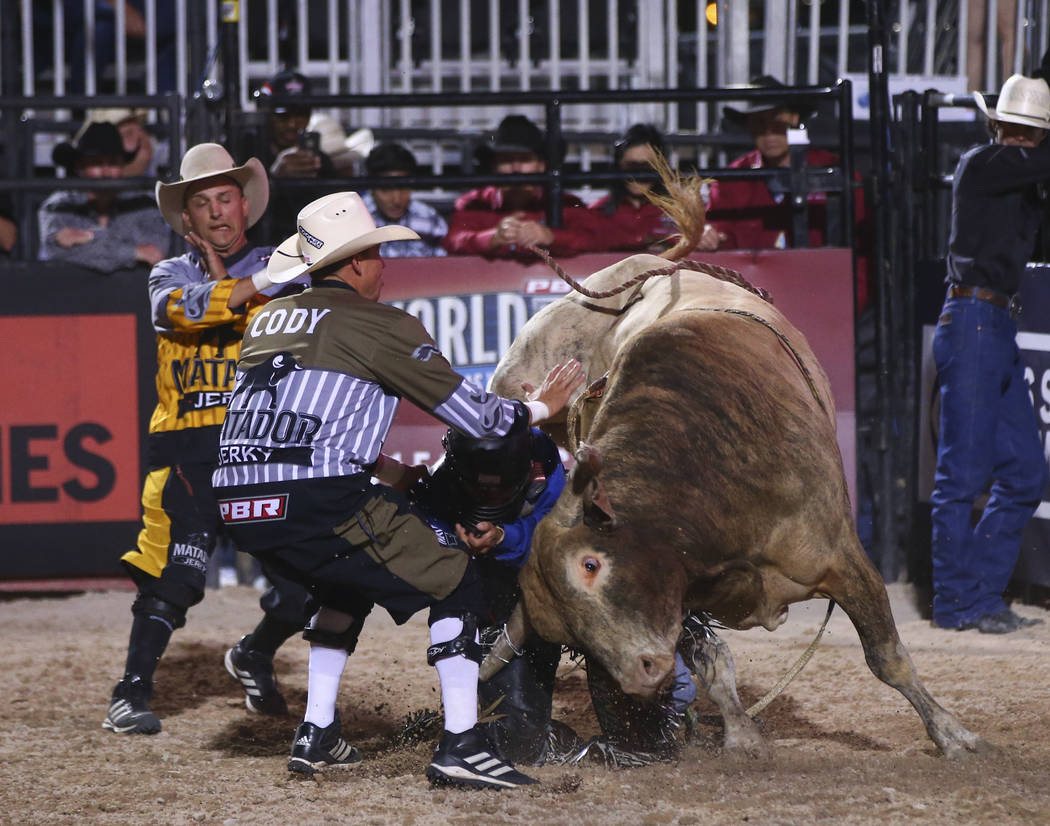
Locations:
28 183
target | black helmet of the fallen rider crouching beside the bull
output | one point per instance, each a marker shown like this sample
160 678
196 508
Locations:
493 473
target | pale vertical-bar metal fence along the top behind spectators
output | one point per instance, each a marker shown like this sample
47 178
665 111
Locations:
60 48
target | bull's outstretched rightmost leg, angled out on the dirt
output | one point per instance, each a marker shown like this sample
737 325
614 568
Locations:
859 590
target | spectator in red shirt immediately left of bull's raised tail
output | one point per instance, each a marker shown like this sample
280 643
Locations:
635 222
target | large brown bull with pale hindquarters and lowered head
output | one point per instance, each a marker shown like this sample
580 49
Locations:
709 481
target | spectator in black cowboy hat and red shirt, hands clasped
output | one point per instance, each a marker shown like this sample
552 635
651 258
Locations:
503 221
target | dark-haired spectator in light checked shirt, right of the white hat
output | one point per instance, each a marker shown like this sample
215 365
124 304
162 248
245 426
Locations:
394 205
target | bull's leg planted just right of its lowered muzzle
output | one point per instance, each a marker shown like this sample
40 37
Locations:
710 660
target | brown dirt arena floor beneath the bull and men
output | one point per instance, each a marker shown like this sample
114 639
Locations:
845 749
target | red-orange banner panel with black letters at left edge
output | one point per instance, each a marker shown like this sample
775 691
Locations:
70 420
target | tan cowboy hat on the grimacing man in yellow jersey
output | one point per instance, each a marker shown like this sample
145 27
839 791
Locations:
206 161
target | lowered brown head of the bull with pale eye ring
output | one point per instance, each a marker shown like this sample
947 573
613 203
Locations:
598 580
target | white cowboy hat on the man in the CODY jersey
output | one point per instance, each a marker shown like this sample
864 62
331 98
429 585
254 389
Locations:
330 230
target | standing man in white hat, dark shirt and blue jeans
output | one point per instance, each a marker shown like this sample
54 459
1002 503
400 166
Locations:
989 433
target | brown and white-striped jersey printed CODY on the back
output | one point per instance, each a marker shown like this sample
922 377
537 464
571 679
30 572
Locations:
321 378
